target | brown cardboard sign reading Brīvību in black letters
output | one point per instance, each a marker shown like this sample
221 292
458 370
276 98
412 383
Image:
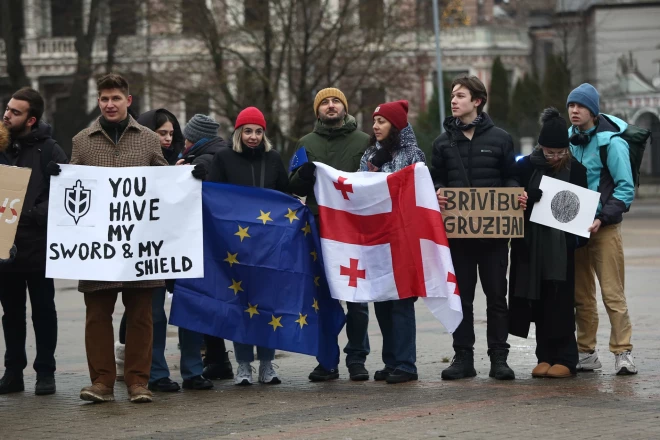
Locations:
483 213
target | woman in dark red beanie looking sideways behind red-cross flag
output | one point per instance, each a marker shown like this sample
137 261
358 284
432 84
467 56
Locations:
393 147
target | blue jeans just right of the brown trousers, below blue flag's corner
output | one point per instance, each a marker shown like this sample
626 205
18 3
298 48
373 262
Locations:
190 342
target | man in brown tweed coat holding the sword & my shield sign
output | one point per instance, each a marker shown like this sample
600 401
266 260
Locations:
115 139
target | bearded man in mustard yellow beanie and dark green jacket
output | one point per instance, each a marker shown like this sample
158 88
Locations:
336 142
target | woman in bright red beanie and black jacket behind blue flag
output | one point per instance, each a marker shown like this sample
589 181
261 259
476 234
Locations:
251 161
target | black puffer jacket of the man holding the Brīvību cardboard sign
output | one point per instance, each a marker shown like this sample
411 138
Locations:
488 158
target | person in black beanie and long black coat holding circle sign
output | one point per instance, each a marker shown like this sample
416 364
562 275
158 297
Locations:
542 278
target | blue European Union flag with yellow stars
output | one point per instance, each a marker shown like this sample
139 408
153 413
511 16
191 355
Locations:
263 282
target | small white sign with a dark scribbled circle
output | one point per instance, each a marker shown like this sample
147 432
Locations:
565 206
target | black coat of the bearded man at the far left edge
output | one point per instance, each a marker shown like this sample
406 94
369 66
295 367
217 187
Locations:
30 239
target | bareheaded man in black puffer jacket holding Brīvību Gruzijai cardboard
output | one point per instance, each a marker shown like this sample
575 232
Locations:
474 153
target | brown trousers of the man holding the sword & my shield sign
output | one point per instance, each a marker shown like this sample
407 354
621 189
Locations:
99 336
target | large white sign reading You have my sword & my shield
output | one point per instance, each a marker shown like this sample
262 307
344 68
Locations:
125 224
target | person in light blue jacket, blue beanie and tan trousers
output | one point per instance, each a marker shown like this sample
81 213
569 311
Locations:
590 132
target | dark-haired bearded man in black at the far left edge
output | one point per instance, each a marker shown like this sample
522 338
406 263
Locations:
31 146
